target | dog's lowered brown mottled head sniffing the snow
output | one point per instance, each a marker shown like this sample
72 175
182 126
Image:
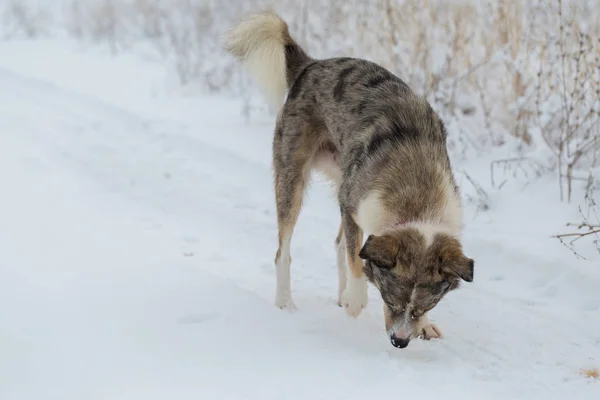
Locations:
413 276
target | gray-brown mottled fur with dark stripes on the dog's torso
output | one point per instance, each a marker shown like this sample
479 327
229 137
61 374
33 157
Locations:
385 135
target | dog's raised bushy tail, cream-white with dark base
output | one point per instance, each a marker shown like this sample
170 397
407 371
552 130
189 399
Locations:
262 42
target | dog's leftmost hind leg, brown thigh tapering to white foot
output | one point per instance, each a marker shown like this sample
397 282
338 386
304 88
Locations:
292 154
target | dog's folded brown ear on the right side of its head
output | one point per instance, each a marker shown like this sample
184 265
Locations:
451 260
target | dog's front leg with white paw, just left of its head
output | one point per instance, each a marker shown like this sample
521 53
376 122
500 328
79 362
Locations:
354 297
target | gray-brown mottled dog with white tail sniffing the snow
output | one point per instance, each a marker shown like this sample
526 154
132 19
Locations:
384 148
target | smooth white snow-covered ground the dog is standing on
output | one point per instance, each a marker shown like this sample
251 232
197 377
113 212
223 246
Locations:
137 236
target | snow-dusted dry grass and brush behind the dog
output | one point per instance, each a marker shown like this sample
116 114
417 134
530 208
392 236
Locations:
519 74
